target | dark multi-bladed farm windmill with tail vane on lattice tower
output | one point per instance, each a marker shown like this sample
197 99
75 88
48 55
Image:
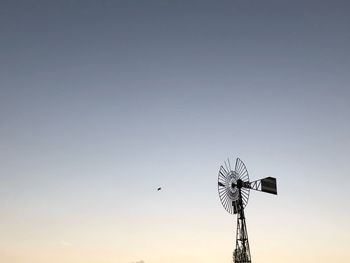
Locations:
234 188
